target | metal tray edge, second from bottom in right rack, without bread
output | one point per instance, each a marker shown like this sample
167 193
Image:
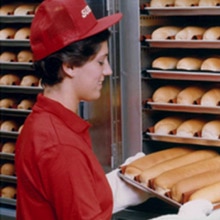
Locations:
184 108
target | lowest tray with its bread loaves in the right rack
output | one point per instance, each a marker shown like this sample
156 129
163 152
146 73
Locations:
179 129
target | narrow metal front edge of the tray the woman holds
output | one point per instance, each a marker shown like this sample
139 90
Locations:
149 190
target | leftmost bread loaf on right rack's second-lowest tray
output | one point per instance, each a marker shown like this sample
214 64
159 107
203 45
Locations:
166 94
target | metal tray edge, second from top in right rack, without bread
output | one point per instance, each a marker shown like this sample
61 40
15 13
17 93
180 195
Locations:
182 44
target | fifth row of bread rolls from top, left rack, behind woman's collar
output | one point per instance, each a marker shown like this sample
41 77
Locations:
24 104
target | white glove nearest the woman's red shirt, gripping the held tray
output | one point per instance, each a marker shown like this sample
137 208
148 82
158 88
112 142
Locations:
124 194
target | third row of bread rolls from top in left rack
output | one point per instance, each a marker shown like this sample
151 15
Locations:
21 56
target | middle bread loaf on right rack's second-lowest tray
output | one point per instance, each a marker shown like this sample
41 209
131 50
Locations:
190 95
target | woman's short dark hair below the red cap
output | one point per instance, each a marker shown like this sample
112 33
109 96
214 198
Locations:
76 54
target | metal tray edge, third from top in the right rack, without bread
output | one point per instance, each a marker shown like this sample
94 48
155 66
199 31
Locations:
186 75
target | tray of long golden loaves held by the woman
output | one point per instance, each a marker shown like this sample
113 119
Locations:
176 175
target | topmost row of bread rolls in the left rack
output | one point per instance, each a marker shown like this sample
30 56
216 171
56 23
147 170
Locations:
19 9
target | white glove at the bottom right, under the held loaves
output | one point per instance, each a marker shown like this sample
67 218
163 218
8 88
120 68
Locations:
193 210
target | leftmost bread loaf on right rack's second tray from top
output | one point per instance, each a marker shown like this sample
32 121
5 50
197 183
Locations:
165 33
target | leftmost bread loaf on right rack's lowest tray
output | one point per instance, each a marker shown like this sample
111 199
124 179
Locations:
167 125
